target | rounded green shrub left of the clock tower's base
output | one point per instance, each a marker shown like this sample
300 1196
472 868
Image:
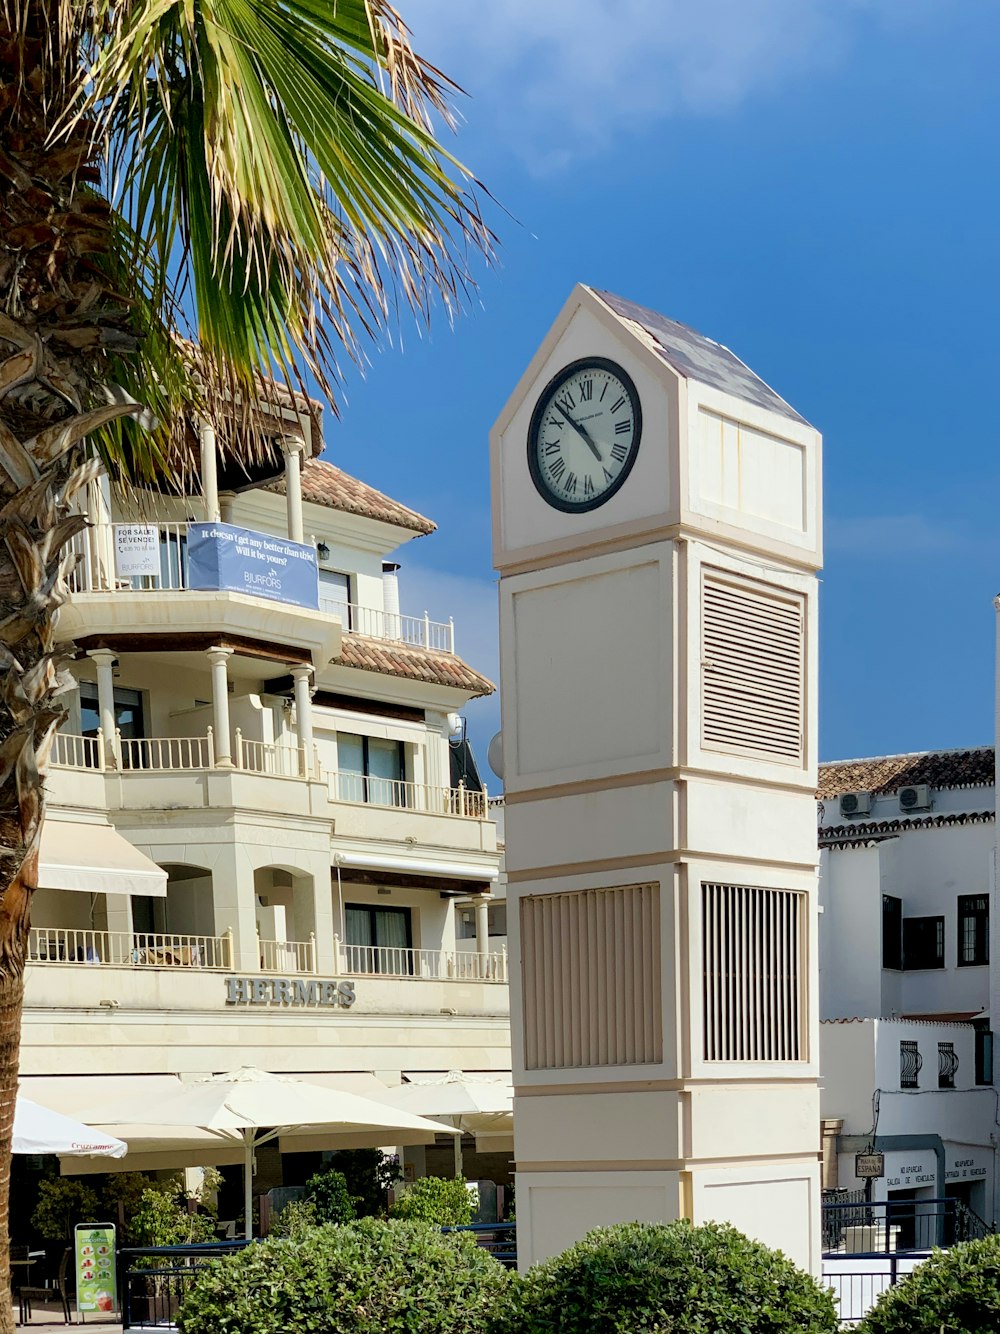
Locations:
362 1279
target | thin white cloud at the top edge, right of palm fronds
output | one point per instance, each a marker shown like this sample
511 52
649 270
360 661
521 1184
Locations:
561 79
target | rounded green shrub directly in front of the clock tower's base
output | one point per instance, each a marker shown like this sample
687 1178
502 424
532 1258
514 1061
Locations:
653 1279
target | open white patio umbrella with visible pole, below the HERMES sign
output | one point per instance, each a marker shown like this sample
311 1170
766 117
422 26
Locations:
255 1107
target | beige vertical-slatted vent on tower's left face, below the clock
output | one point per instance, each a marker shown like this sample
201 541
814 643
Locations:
593 978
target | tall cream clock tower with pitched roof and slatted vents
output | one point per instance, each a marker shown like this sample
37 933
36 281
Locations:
657 528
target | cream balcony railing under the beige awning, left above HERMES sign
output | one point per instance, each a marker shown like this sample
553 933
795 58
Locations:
129 949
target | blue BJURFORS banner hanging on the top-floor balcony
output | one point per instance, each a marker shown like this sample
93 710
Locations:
231 560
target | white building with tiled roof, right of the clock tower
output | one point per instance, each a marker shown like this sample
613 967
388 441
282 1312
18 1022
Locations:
907 854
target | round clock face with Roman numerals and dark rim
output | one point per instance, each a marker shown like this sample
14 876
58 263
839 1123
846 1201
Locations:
585 436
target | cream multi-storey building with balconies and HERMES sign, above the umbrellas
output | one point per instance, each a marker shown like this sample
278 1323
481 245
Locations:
255 833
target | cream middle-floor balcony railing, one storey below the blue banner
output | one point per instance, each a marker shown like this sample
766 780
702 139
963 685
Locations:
179 756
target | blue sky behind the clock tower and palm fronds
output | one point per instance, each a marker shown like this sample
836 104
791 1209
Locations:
814 183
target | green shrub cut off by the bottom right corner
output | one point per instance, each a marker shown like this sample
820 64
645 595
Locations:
957 1292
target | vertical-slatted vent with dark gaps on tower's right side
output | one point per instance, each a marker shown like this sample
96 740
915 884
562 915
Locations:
754 965
